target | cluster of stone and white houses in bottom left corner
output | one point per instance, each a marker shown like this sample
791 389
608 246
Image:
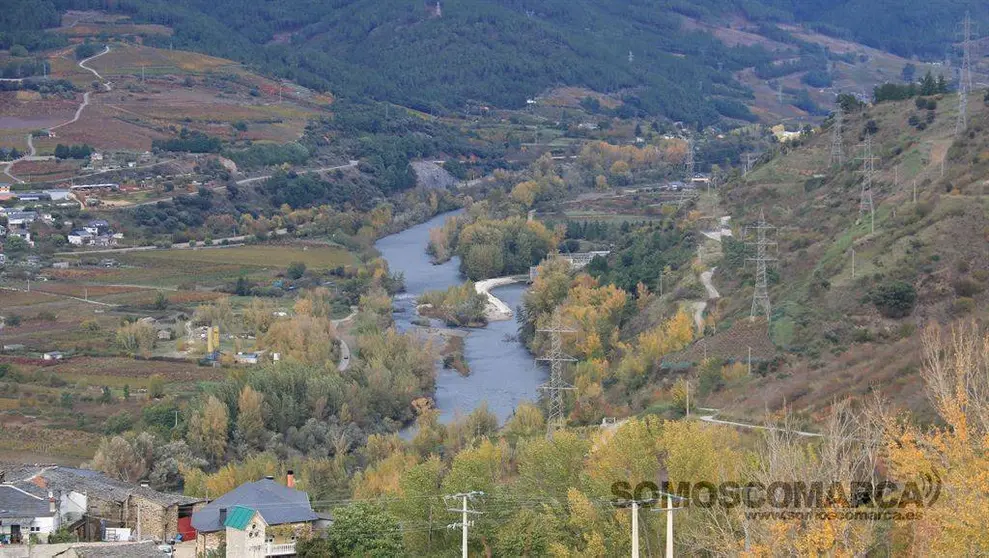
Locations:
85 514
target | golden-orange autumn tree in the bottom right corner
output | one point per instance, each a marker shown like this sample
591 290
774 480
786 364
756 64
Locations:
956 377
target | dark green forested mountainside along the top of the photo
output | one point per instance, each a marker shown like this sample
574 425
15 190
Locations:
451 55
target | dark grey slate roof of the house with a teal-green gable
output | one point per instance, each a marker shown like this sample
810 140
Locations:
278 505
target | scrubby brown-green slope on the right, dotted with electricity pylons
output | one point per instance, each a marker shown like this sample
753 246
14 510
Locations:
927 261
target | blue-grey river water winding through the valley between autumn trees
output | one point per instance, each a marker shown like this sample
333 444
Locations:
503 373
